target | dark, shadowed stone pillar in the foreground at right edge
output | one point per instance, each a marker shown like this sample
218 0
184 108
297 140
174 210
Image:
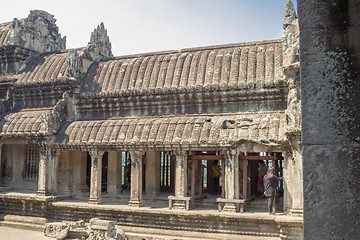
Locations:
330 90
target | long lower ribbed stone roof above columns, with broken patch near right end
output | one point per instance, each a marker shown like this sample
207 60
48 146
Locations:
202 130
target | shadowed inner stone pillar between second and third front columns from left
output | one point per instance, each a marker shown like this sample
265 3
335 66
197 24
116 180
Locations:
114 174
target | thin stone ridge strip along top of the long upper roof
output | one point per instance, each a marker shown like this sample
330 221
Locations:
202 48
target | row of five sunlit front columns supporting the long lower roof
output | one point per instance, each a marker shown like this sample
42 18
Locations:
49 164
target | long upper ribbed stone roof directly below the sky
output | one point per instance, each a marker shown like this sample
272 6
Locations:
237 66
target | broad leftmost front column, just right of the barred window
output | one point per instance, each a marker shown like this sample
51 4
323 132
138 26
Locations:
48 165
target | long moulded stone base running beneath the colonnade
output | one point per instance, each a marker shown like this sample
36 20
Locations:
152 221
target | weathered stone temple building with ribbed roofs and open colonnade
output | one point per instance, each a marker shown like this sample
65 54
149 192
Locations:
134 138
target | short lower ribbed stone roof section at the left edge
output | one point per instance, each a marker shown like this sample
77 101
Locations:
23 123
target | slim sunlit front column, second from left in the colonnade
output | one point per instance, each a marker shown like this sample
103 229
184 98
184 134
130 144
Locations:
95 180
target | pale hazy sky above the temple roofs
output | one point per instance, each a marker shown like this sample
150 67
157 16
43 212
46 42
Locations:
137 26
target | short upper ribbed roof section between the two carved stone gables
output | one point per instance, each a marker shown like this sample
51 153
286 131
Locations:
43 68
